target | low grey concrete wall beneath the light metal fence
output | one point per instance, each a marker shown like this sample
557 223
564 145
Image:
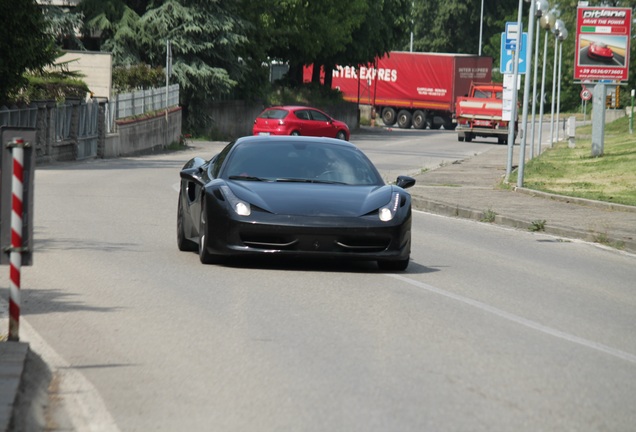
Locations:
143 135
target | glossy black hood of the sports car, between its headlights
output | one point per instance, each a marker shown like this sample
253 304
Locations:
312 199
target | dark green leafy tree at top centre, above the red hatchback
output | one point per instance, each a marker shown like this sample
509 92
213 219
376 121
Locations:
326 32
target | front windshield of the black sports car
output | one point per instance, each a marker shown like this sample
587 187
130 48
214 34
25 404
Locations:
296 161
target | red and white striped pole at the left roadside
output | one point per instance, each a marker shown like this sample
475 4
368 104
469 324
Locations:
15 257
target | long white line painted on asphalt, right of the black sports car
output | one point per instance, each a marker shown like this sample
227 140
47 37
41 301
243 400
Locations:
520 320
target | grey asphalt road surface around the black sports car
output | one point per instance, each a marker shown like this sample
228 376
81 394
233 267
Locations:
489 329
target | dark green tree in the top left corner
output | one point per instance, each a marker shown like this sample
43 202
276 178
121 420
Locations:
24 43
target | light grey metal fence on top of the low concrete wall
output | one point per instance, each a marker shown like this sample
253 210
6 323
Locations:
125 105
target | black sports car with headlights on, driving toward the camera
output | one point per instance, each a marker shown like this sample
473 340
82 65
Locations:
300 196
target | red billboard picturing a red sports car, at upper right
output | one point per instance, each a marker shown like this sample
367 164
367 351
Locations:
602 43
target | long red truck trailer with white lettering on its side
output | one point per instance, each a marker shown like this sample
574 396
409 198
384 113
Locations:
412 89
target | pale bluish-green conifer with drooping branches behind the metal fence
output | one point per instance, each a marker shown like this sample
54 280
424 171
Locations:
206 37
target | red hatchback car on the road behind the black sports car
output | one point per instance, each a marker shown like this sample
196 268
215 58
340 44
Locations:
299 120
